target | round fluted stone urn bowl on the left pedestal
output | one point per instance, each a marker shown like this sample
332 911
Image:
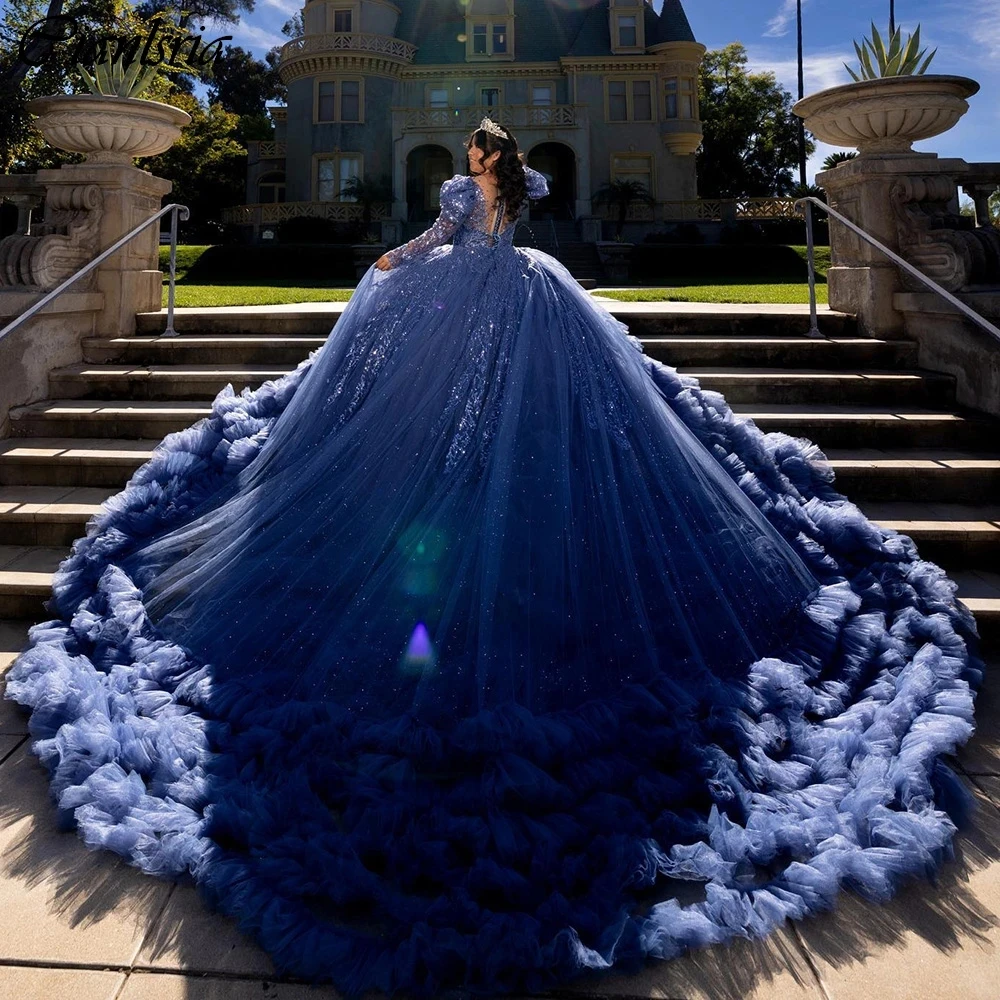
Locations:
107 129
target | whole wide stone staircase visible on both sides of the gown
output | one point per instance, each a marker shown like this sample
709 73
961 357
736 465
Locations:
903 450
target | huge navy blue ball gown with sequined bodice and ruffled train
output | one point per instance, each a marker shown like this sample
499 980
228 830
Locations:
482 650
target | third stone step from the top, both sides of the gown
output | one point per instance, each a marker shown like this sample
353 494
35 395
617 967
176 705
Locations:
743 385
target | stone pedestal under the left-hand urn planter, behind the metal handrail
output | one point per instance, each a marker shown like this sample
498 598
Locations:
130 280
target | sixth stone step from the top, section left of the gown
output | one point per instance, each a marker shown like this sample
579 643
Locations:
47 515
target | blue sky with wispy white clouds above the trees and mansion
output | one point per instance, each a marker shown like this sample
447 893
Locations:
965 32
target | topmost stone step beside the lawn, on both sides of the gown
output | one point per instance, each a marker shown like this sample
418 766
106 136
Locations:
644 319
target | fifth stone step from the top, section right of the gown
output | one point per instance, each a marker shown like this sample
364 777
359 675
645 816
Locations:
925 475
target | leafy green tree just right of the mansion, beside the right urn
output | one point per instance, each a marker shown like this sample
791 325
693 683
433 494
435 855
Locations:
750 144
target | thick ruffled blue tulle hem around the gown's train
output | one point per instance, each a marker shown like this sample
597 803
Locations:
513 850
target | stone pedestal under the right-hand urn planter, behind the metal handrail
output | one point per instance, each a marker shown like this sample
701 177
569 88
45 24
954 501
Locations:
874 192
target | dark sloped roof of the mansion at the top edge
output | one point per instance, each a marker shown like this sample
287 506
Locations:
545 29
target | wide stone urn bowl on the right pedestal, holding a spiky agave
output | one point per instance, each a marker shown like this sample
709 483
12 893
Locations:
888 115
